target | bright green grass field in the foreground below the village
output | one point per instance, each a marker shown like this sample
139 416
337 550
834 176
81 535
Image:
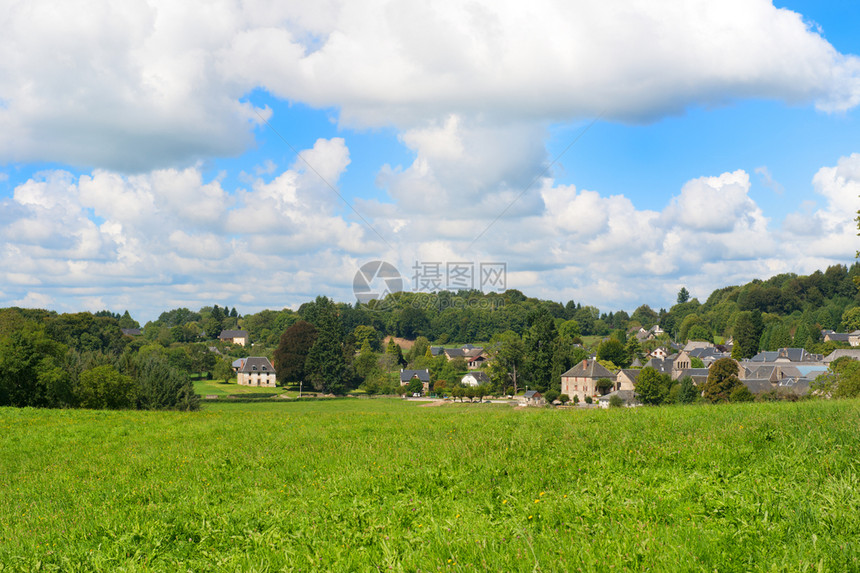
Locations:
368 485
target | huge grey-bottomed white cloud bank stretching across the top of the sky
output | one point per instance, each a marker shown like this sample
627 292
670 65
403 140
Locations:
153 84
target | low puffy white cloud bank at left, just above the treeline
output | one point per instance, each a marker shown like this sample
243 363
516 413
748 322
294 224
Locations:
168 237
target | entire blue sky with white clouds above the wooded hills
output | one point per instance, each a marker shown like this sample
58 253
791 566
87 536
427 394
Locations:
608 154
